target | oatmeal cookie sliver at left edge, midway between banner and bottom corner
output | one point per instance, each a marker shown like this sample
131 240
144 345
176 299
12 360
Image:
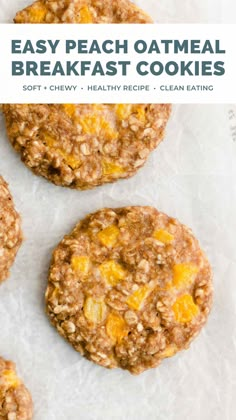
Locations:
10 230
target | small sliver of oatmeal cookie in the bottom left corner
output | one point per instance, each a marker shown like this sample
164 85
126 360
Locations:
15 399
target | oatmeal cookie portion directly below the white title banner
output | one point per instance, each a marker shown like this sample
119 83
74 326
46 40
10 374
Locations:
83 146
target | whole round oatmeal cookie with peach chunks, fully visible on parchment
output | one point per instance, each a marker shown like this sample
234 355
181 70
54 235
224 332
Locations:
129 287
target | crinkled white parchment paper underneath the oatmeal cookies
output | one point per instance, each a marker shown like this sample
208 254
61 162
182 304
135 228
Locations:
191 176
